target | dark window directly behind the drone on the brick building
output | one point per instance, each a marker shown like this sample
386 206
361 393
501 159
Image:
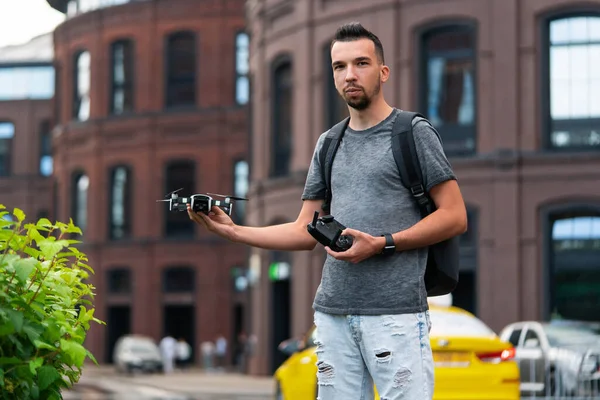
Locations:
179 174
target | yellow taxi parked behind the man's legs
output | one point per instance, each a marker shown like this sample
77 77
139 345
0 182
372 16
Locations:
471 362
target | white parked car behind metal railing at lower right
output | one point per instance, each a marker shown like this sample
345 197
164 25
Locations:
556 358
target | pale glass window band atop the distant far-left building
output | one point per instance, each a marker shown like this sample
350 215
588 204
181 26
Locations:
26 82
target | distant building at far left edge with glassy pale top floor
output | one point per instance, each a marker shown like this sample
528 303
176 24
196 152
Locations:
26 92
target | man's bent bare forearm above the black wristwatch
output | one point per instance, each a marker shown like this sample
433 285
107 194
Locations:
435 228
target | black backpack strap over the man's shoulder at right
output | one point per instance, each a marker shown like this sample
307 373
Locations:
407 160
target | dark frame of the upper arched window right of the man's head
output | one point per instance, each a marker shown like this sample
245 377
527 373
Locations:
421 91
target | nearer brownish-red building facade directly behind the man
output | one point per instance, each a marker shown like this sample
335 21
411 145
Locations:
511 85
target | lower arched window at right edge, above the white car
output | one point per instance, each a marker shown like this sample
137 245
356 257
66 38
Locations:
574 278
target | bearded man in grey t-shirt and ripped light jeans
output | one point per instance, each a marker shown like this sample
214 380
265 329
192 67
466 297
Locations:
371 311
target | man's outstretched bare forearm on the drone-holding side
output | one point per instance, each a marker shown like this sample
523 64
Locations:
287 237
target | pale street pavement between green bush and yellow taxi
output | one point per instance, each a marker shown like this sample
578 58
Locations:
104 383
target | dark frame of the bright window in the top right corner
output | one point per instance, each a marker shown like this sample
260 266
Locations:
544 76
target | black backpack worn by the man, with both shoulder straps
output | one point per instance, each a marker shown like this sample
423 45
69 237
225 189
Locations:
441 274
